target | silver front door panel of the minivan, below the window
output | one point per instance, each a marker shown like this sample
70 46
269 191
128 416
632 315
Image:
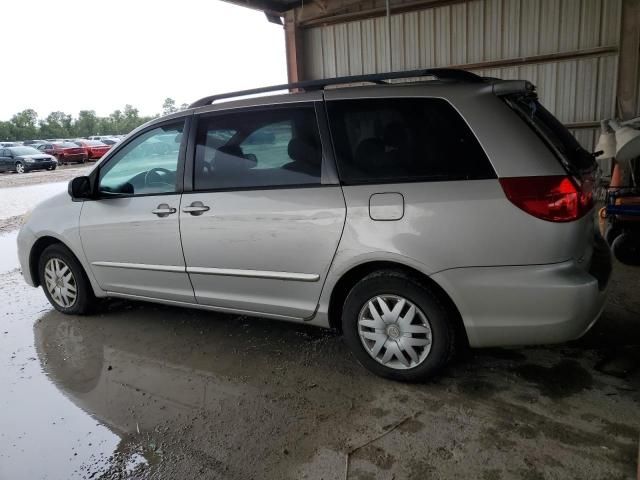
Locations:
134 251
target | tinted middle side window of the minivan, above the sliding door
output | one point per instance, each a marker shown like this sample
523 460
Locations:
255 149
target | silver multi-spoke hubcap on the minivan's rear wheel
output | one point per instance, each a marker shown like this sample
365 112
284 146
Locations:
394 331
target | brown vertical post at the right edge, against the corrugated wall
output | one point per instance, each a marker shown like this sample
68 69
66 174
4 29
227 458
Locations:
629 61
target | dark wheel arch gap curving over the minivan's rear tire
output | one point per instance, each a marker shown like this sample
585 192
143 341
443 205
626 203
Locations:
348 280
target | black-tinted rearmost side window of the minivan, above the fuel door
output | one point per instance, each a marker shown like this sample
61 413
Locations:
404 140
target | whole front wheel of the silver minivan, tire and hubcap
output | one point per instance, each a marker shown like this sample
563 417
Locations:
60 256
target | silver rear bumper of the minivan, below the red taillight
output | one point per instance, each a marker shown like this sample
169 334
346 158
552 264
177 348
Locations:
525 305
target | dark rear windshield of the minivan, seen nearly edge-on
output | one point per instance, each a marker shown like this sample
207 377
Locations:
573 156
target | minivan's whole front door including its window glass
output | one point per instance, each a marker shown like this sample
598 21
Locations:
132 235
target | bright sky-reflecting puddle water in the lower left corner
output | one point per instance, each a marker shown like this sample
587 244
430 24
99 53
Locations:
42 433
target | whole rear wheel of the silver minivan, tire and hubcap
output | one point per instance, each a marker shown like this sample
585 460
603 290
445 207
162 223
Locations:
392 286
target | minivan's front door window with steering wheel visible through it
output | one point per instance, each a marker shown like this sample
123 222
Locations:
146 165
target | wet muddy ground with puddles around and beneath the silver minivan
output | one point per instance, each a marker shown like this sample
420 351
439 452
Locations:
145 391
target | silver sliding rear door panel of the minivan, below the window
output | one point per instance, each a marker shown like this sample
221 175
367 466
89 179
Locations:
265 251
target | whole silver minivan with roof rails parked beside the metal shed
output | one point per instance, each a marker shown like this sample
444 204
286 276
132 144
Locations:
414 217
